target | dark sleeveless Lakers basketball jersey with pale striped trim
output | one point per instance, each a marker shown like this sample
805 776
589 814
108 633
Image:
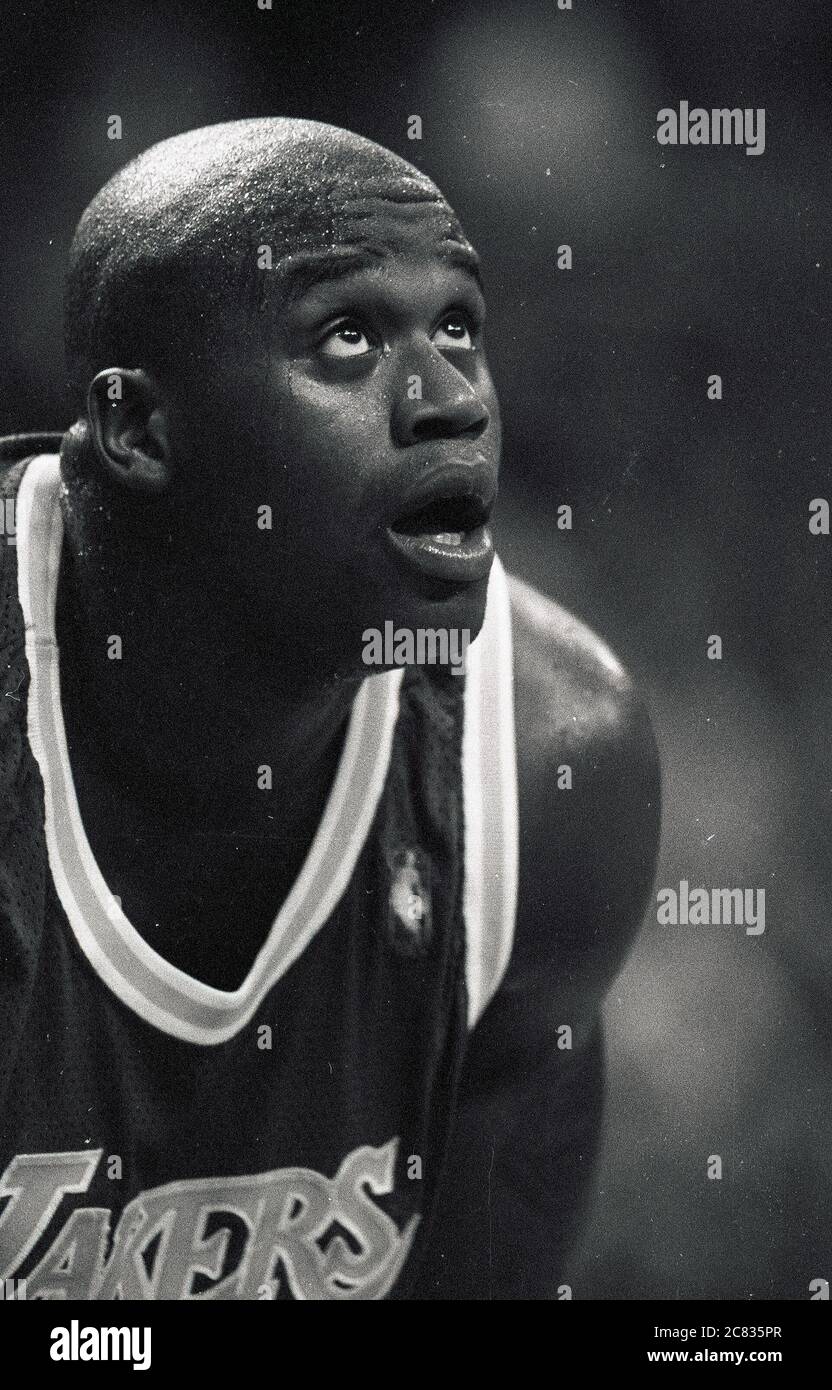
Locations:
166 1139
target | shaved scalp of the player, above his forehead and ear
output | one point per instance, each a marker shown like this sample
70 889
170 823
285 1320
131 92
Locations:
172 248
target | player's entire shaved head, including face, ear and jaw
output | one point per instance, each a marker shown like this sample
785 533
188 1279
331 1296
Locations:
297 323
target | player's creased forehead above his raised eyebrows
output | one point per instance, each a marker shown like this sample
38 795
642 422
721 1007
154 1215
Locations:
373 233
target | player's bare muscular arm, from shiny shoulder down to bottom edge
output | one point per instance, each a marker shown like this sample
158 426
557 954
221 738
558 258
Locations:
530 1110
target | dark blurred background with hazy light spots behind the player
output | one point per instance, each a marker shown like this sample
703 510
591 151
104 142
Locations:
691 518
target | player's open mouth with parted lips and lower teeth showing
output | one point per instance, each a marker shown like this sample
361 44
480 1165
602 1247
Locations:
448 537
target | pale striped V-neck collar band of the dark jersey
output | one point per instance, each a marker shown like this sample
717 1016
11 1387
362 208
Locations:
162 995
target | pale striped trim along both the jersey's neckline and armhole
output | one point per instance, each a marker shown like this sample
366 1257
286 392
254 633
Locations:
159 992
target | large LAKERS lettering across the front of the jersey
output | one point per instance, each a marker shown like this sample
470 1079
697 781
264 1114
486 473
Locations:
288 1234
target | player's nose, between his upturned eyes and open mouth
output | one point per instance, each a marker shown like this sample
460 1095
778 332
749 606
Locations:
438 402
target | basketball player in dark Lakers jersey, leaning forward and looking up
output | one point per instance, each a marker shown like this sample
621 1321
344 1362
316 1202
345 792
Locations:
301 963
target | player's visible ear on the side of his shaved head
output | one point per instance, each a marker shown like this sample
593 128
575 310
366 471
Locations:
130 429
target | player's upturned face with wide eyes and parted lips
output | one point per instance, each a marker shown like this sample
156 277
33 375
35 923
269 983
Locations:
367 420
